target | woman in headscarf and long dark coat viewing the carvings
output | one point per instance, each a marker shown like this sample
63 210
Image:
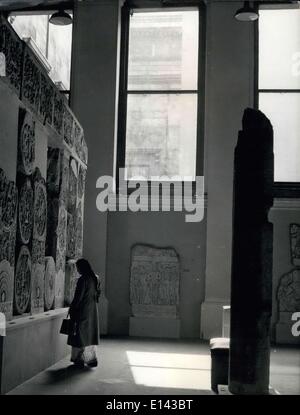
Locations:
84 316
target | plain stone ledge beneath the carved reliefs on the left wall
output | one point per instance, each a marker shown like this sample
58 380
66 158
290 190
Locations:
31 344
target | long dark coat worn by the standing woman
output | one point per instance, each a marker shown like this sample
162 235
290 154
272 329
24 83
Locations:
84 314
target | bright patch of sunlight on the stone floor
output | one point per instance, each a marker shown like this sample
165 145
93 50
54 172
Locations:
170 370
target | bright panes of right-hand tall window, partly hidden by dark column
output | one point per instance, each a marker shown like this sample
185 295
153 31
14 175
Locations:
279 87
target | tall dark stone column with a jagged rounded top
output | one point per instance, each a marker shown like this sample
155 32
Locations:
251 284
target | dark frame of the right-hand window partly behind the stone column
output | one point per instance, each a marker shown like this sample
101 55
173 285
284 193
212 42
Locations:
280 189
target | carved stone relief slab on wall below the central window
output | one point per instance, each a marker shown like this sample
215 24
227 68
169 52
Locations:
154 282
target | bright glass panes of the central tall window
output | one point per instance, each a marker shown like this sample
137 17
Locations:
160 95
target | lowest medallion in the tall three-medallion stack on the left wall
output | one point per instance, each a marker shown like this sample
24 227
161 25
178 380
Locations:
22 281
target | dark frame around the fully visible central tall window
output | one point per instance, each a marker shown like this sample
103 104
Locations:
123 91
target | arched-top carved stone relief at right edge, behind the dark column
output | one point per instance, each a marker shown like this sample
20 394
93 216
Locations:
288 294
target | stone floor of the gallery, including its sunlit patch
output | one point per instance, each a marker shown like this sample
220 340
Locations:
130 366
